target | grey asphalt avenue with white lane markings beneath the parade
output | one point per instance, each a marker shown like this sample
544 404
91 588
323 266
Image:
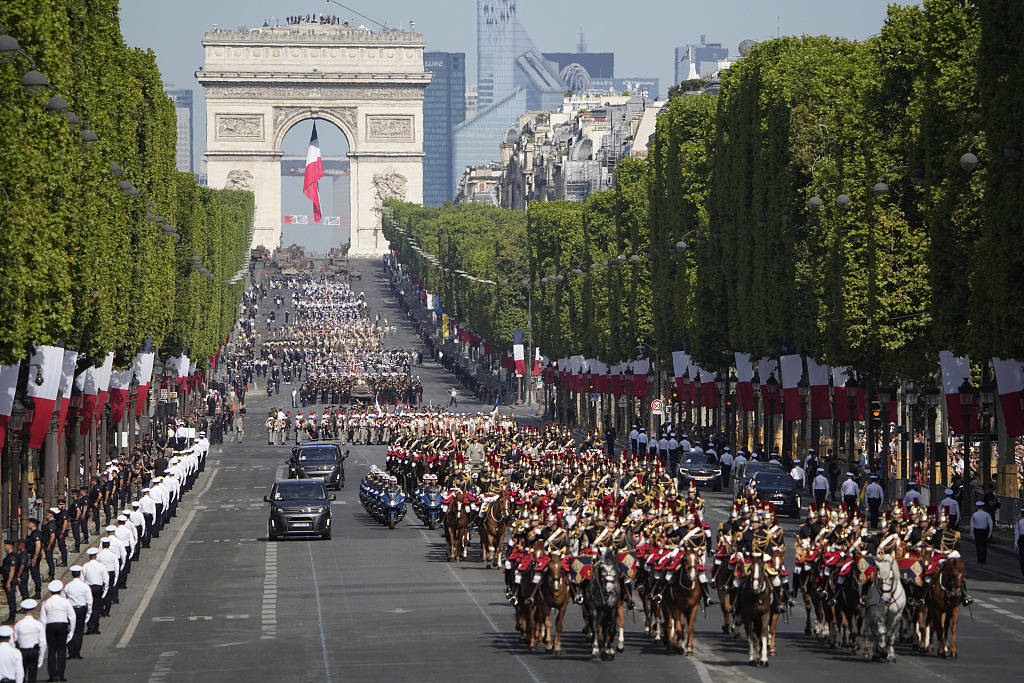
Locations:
379 605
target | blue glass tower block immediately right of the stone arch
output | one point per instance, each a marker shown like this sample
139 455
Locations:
444 109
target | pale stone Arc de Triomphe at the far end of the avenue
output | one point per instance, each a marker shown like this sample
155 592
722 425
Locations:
261 82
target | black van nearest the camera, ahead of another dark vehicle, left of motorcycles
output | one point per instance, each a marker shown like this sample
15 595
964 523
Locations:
300 507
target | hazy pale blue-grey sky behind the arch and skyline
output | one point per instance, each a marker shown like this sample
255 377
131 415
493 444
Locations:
644 34
